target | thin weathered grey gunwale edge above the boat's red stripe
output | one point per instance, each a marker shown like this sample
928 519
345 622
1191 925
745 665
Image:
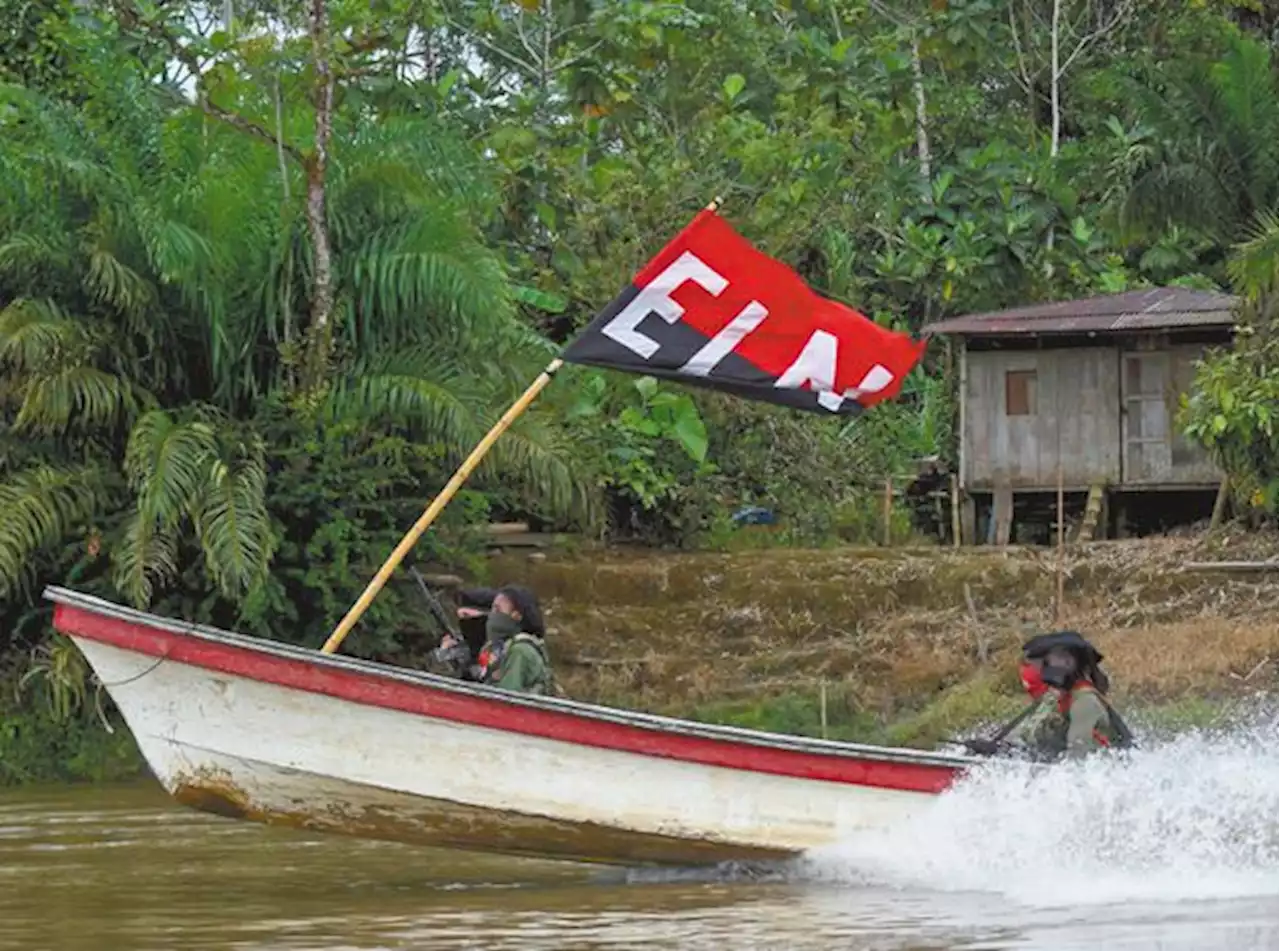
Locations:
652 723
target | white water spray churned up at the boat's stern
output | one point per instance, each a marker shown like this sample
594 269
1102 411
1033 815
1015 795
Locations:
1196 819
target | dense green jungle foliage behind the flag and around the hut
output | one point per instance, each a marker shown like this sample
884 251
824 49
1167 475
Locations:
267 272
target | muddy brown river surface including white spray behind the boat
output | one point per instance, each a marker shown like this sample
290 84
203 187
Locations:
1177 849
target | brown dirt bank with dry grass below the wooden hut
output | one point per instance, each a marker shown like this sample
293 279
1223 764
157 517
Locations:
908 644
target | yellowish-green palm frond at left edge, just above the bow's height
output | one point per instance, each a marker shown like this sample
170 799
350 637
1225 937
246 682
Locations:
42 507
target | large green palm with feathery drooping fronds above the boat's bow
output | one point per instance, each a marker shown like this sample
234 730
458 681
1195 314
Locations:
152 267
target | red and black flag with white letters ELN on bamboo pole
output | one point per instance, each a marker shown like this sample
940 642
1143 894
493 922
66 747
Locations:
711 310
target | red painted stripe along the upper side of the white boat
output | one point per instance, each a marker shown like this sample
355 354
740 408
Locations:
495 714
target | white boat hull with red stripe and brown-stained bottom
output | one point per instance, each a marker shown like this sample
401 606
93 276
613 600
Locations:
289 737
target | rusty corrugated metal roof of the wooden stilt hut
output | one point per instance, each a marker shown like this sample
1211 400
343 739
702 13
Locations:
1135 310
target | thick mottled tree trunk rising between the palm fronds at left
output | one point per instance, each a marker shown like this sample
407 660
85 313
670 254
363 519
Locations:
321 332
